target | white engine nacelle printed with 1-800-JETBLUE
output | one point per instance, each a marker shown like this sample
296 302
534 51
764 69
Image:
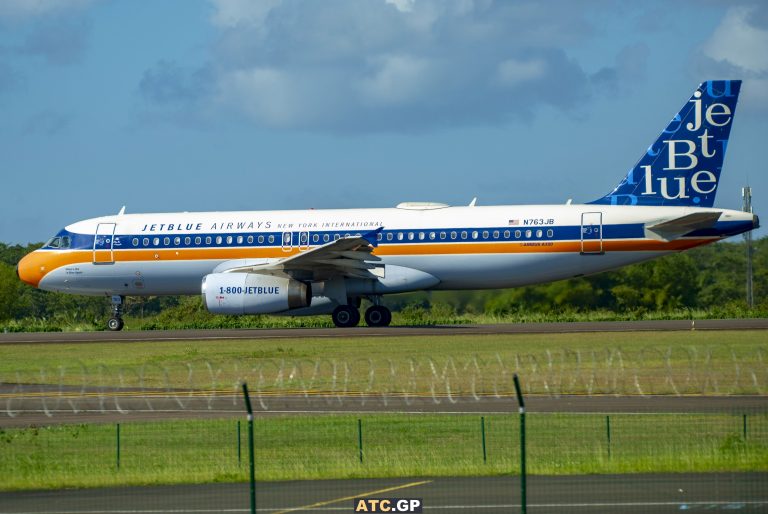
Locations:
251 293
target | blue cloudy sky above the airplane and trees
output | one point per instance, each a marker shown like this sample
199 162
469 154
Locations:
182 105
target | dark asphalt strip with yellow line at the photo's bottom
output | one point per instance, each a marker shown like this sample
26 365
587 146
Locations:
659 493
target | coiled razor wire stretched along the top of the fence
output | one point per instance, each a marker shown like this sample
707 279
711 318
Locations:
279 384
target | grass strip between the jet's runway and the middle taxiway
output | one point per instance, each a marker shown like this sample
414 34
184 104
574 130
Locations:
694 362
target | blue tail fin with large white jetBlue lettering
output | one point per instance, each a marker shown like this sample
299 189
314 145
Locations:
683 166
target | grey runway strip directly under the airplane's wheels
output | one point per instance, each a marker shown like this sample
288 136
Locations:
396 331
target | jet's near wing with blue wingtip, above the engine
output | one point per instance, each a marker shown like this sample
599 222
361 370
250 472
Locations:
347 257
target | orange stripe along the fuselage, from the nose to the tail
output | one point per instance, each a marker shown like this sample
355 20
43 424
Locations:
34 266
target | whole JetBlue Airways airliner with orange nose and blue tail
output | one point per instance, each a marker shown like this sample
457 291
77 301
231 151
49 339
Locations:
324 261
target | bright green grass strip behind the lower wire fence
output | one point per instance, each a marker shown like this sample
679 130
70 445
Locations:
395 445
